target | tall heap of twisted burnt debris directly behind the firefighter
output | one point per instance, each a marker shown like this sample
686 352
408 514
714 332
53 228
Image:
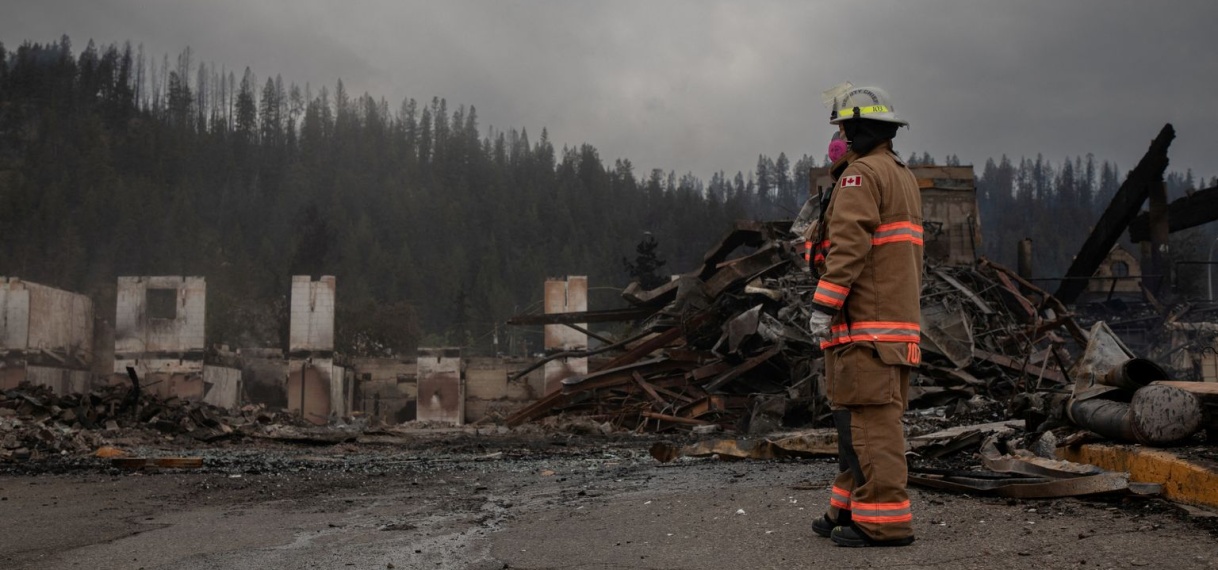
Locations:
728 345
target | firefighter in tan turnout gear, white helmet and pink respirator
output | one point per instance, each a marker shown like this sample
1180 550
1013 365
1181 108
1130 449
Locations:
867 314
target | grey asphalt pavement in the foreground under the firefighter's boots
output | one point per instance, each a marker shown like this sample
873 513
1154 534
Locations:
582 508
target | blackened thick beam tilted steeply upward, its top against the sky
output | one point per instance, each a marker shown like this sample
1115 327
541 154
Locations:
1118 216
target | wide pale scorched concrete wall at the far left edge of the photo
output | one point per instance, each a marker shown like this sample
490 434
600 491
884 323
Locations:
46 337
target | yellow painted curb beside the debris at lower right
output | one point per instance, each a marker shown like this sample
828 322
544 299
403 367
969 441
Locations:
1183 480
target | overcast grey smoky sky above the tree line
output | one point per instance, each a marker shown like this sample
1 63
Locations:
708 86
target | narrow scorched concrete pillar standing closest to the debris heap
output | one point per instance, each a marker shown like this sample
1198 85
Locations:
568 295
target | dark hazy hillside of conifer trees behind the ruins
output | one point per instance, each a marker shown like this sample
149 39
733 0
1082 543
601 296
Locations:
115 163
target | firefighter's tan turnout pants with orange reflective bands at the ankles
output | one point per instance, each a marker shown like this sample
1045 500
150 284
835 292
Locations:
869 398
